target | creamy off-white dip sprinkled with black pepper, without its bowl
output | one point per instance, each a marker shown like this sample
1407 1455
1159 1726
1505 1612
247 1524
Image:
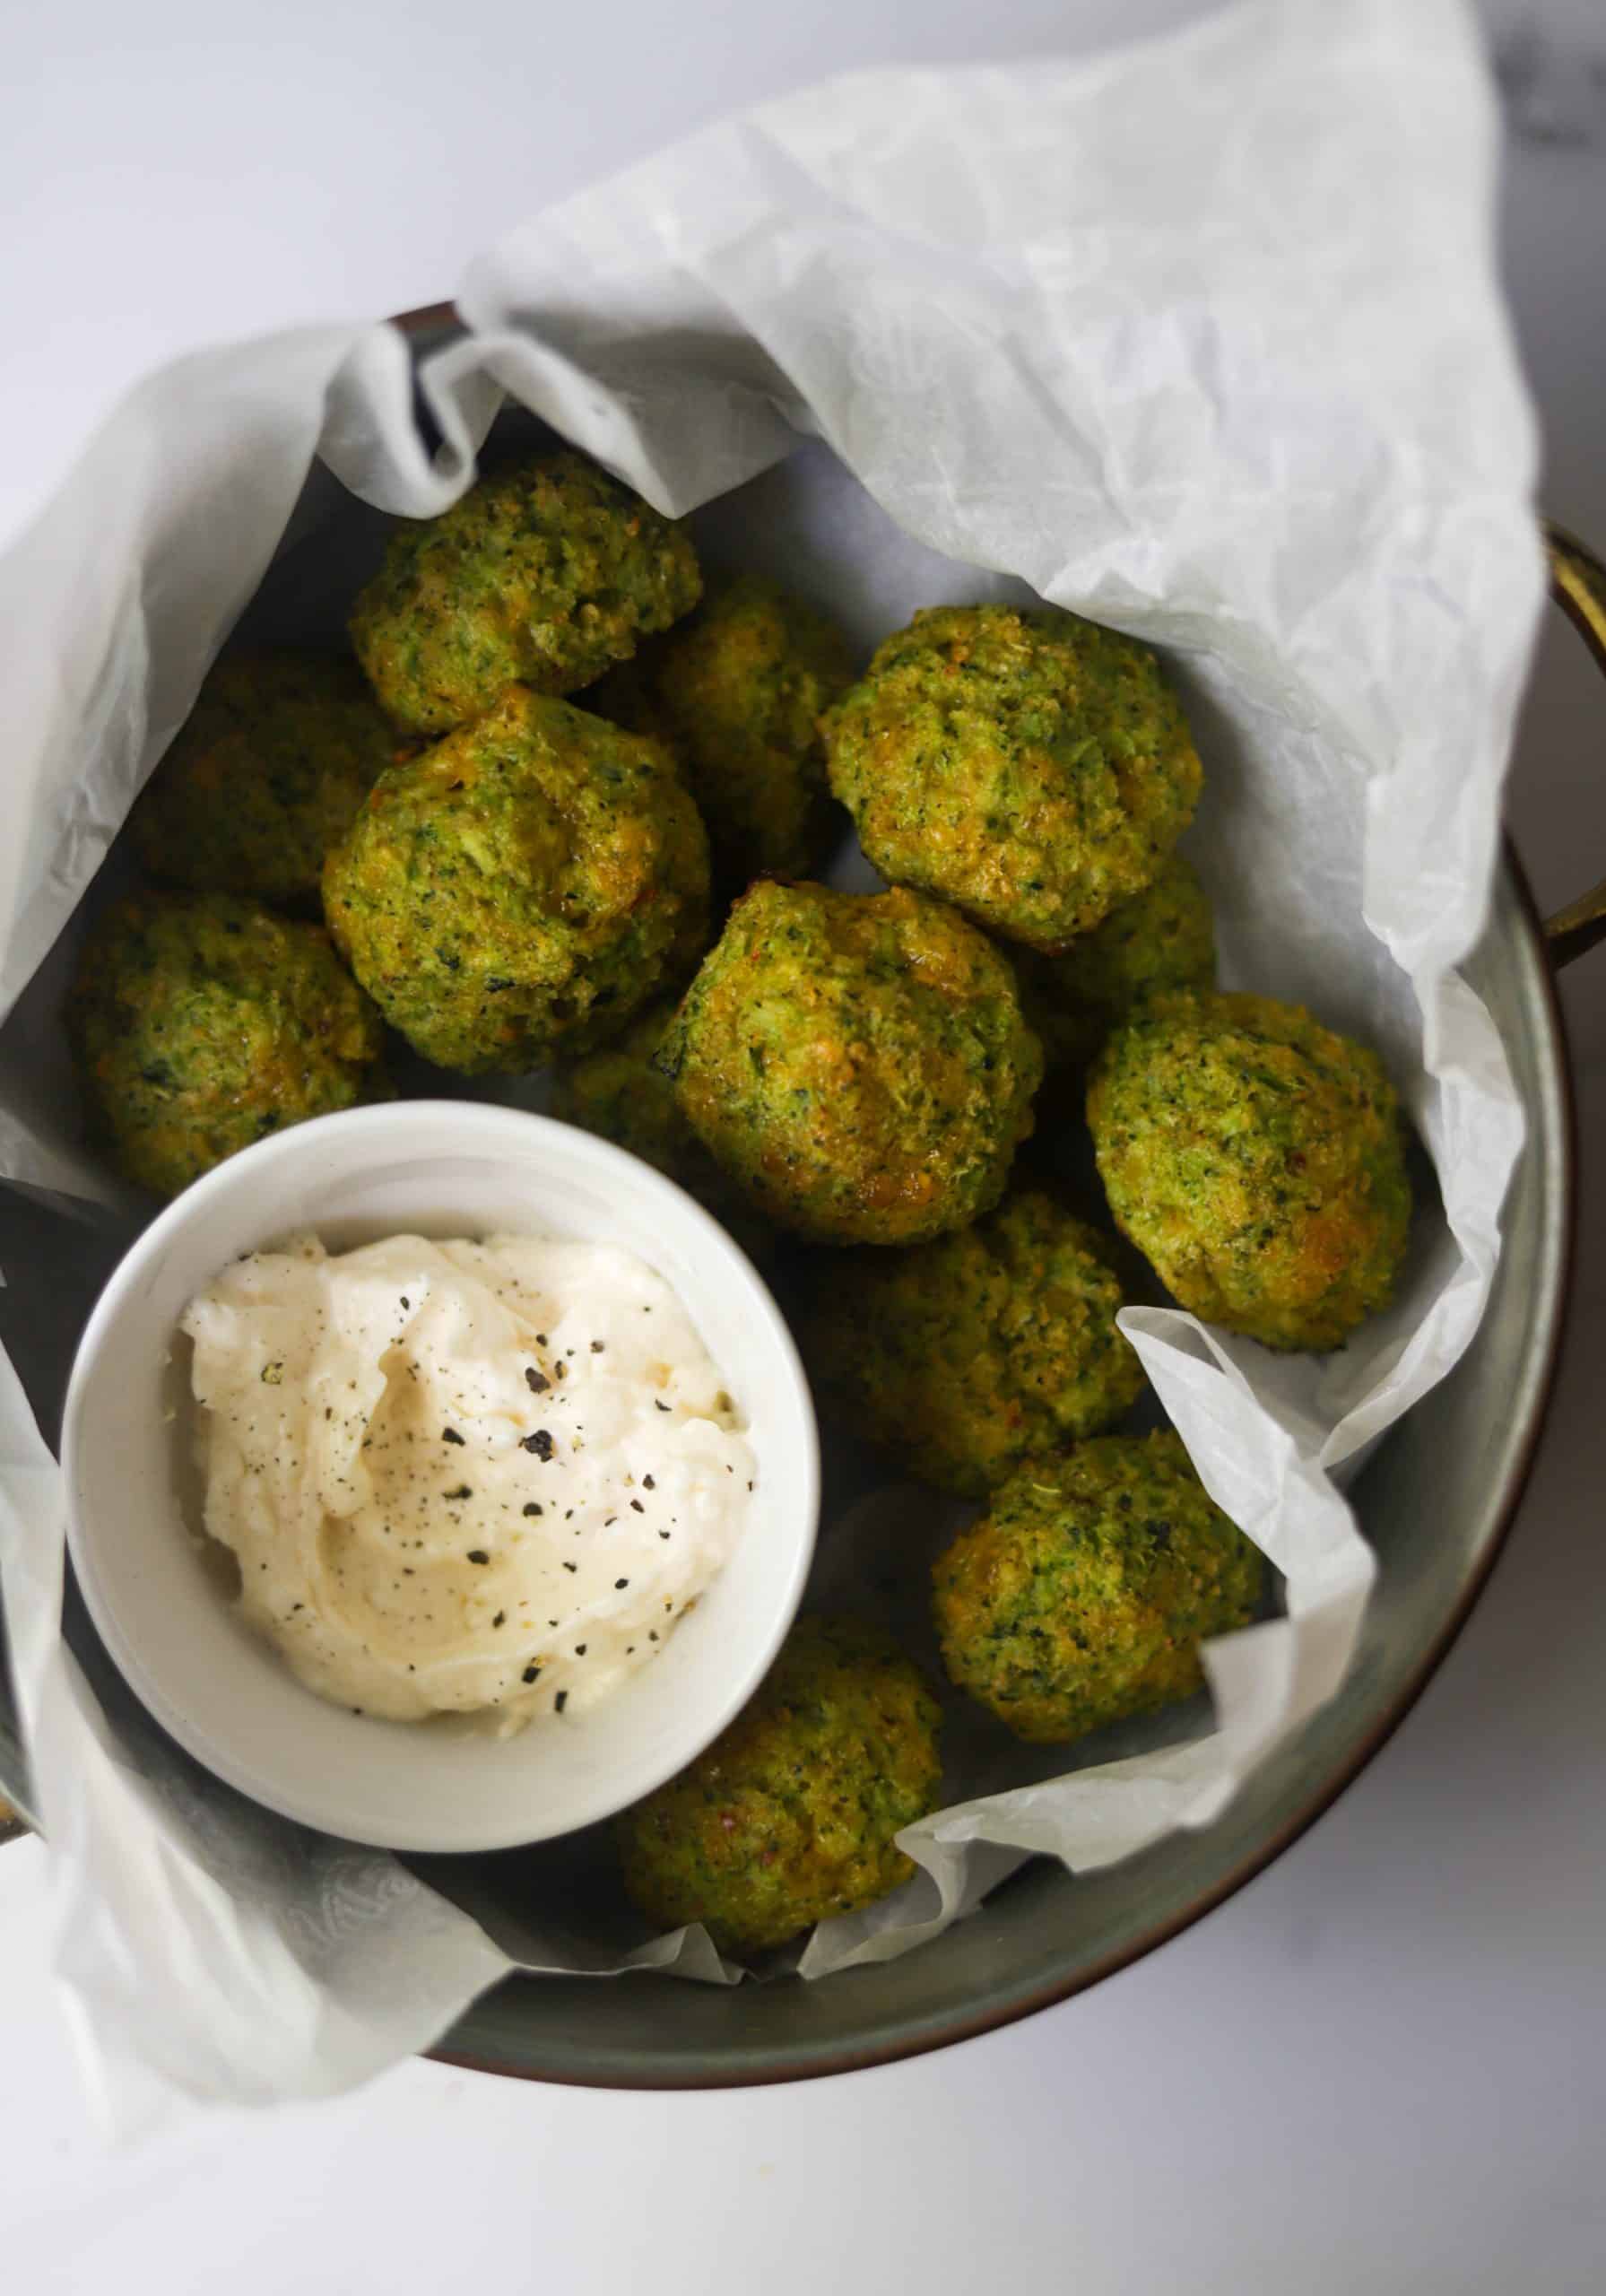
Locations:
469 1475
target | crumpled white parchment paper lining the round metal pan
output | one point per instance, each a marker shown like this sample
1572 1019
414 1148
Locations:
1199 339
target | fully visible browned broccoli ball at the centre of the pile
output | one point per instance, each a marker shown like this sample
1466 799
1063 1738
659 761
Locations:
857 1062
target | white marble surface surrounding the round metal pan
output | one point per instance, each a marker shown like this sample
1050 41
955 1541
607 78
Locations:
1412 2006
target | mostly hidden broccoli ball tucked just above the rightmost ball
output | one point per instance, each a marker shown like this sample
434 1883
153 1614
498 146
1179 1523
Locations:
1160 940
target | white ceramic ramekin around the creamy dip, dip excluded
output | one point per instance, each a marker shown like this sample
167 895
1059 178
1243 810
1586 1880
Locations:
435 1168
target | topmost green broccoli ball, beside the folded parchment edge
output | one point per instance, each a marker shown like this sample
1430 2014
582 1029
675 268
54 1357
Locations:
543 575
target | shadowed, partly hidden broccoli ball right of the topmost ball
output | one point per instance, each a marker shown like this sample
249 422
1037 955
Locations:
742 688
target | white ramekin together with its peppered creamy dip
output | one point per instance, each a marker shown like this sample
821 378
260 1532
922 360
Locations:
439 1475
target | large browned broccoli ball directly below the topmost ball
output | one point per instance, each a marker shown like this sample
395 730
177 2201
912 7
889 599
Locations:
522 887
